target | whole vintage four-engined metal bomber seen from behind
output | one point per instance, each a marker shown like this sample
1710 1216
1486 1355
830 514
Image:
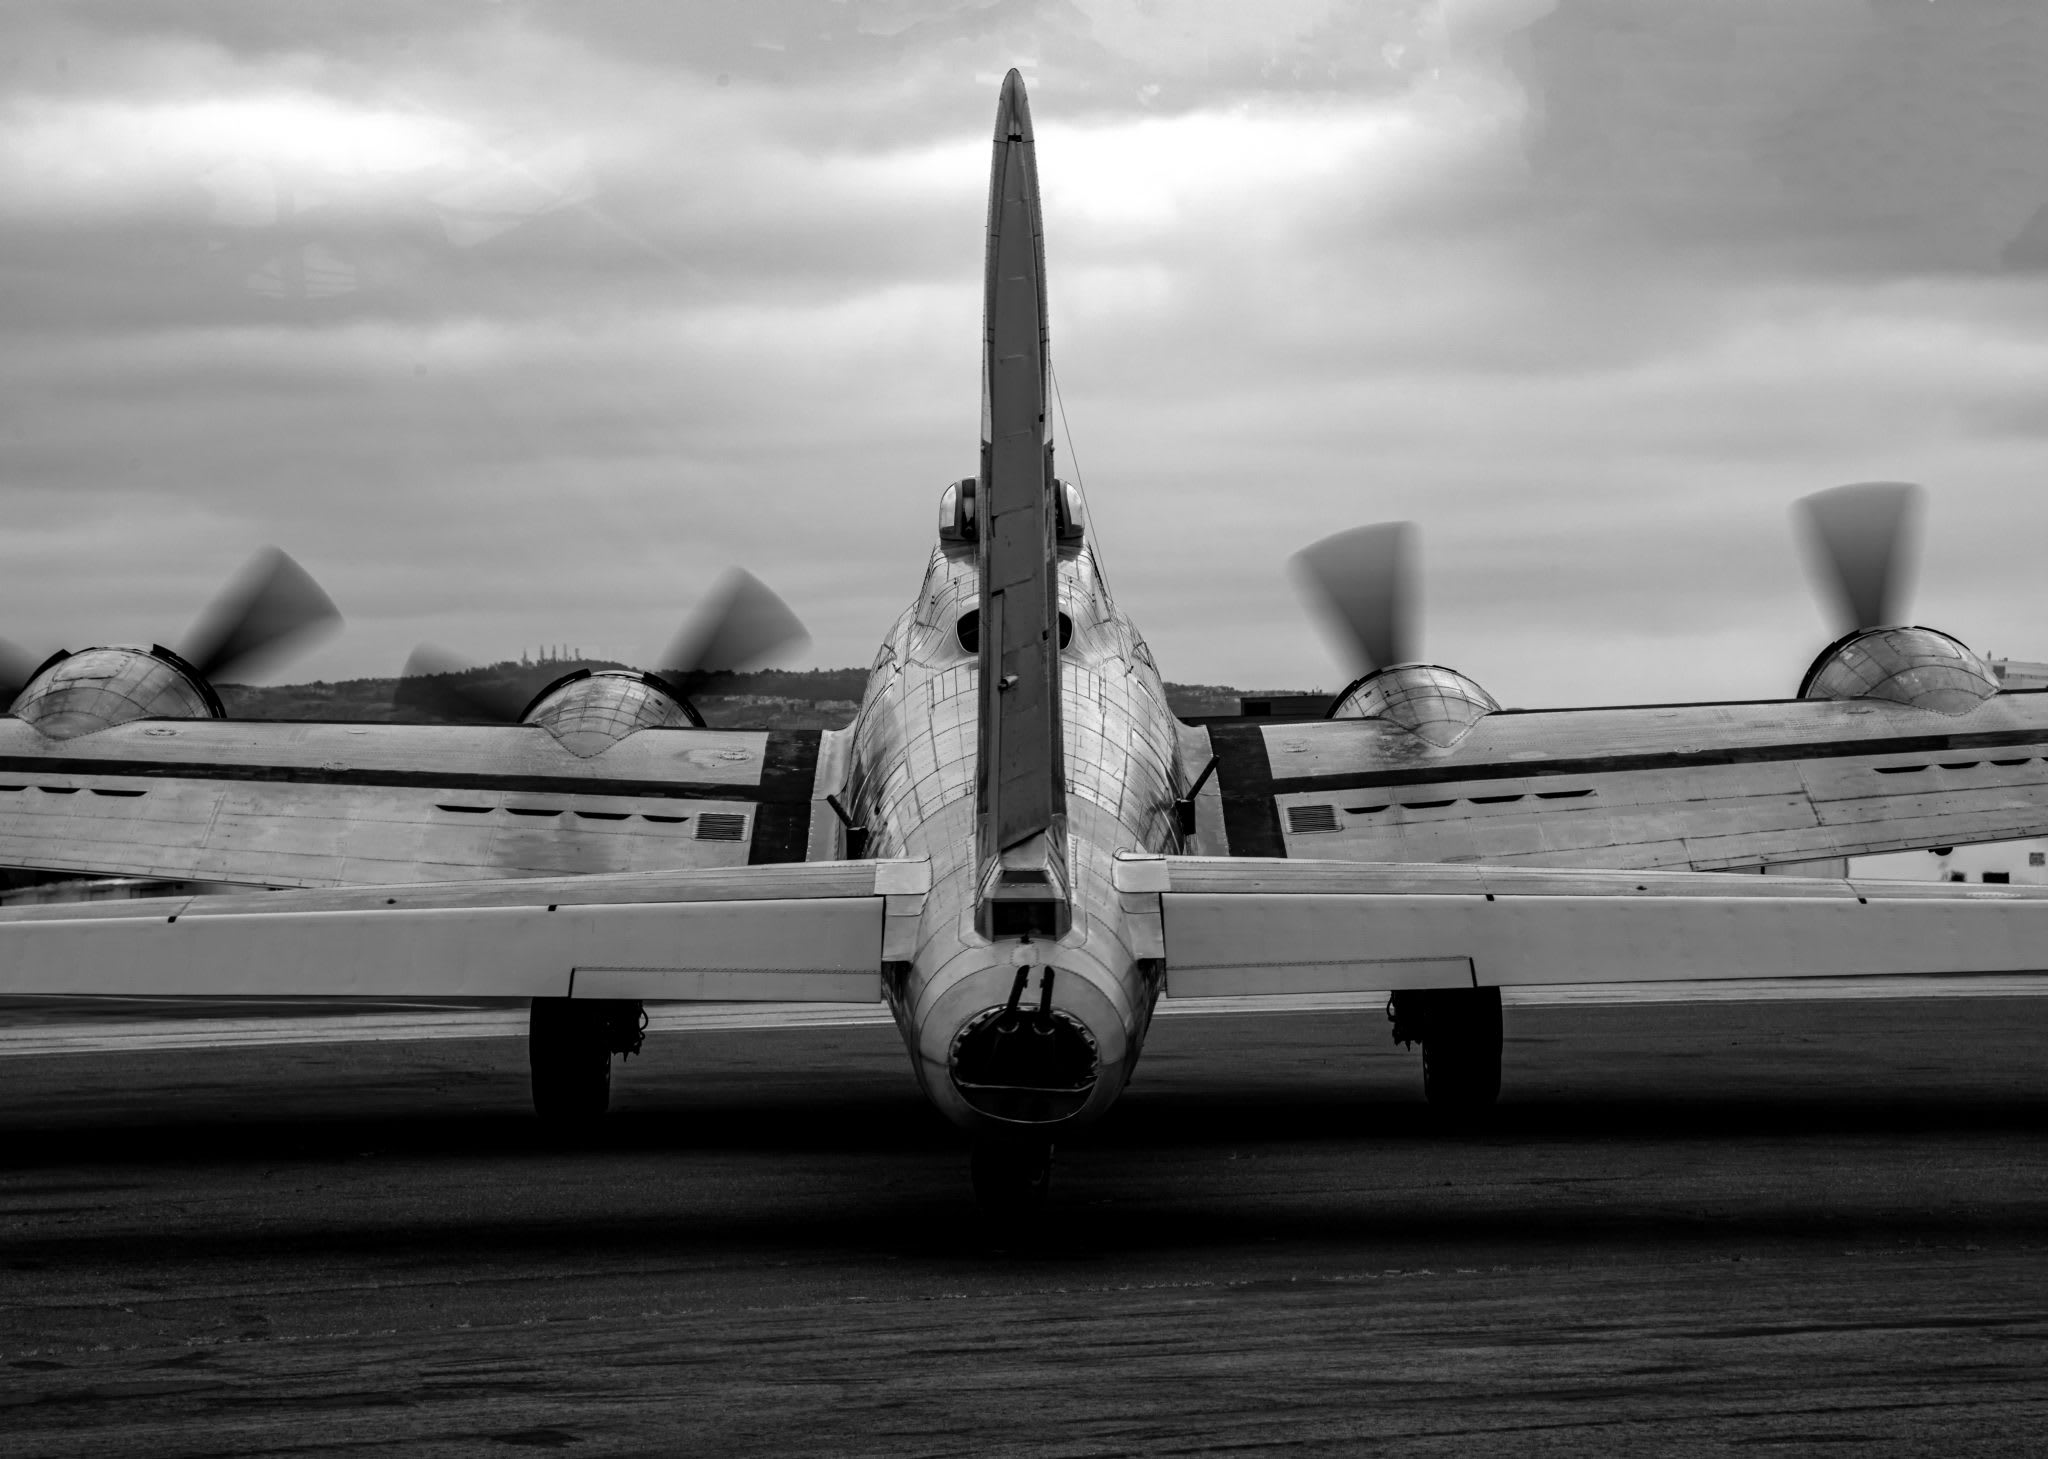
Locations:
1017 845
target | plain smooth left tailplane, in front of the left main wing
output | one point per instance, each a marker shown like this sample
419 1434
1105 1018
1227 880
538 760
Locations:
814 933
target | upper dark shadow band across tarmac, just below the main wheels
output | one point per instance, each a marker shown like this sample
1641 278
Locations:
876 1124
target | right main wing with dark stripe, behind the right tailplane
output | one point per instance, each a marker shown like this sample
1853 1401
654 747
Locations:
1703 788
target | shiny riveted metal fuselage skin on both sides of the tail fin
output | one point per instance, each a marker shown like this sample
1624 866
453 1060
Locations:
912 784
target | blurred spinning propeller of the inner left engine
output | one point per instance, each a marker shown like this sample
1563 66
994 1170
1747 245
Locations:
740 626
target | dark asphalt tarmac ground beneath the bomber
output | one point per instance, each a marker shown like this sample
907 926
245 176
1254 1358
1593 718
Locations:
1746 1228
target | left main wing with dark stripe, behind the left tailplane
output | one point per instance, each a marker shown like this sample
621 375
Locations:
349 804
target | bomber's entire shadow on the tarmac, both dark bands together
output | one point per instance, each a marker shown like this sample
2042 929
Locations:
1207 1171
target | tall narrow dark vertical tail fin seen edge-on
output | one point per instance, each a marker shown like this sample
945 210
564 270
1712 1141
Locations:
1023 784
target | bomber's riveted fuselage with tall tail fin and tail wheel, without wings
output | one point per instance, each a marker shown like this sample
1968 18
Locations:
1017 735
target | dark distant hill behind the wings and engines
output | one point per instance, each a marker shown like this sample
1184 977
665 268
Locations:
765 700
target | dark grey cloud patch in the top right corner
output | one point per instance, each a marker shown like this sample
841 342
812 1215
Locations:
1879 134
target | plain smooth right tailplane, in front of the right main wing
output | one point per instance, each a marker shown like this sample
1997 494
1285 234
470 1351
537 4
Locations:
1230 927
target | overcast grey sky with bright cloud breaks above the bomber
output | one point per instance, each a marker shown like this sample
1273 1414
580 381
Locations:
517 323
